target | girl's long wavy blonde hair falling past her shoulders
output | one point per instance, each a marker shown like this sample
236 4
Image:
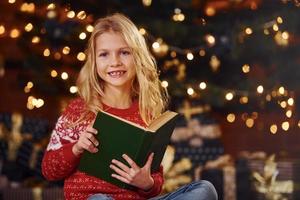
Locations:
146 86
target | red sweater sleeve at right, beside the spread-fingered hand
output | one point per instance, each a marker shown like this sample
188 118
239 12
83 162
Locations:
157 186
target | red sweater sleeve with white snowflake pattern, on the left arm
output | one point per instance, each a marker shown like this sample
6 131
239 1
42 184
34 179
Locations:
59 161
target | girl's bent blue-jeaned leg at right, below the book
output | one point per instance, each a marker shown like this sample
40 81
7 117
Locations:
198 190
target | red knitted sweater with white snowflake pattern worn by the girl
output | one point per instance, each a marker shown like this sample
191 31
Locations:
59 162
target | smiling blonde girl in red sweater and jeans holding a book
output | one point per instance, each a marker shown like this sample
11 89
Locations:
119 77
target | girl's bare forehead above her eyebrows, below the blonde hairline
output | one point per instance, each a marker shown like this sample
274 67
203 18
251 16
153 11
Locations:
110 40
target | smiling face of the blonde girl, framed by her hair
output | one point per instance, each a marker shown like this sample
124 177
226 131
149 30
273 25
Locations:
114 61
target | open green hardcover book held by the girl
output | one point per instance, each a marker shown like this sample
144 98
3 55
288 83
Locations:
118 136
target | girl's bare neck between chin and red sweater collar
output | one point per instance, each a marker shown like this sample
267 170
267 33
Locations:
117 98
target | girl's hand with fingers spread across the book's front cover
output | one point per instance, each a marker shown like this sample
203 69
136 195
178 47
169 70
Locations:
136 176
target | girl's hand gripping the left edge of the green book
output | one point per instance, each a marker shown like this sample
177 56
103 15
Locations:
86 141
